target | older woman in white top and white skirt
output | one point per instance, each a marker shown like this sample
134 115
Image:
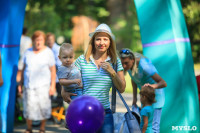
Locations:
38 78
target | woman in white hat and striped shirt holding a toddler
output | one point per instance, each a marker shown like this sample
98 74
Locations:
97 71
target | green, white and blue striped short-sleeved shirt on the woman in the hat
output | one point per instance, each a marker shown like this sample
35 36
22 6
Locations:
96 82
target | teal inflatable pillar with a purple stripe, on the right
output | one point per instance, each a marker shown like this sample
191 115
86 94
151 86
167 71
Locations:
166 42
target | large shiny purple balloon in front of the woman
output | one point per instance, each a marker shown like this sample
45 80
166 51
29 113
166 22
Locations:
85 114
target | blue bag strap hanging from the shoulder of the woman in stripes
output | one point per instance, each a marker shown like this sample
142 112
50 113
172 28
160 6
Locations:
113 100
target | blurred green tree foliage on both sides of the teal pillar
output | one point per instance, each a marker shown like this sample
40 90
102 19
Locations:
55 16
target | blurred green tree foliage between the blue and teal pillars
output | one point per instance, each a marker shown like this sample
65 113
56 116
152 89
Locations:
55 16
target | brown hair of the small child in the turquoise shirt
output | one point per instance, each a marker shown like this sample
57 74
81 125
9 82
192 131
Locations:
149 93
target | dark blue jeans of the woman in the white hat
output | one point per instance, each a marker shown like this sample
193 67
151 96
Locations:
108 124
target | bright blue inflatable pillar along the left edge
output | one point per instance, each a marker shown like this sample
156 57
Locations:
11 23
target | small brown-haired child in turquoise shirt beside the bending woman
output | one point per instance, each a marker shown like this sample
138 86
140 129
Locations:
147 97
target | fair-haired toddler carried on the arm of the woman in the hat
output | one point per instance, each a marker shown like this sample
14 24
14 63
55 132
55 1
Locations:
68 74
